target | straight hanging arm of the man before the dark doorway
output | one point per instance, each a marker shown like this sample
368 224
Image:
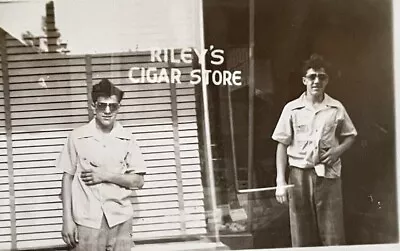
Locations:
281 163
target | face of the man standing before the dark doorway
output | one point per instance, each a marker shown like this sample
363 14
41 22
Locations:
316 81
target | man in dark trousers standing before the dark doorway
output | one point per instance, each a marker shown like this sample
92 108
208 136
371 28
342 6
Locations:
313 131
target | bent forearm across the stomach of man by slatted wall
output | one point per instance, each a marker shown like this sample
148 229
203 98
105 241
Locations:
127 180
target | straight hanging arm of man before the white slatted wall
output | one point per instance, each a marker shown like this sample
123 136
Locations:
69 231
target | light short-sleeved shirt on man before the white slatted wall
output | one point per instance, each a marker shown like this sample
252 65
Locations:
118 152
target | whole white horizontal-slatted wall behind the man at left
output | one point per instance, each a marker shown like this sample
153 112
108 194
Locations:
44 115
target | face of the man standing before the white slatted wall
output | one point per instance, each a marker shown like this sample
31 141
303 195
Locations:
106 109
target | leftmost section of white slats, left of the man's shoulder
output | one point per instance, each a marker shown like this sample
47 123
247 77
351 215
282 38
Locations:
46 104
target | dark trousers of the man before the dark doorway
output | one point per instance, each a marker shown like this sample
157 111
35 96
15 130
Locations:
316 209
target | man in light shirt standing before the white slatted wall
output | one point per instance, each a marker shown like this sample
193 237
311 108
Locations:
102 163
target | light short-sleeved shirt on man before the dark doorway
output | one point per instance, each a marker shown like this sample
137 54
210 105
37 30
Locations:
306 131
